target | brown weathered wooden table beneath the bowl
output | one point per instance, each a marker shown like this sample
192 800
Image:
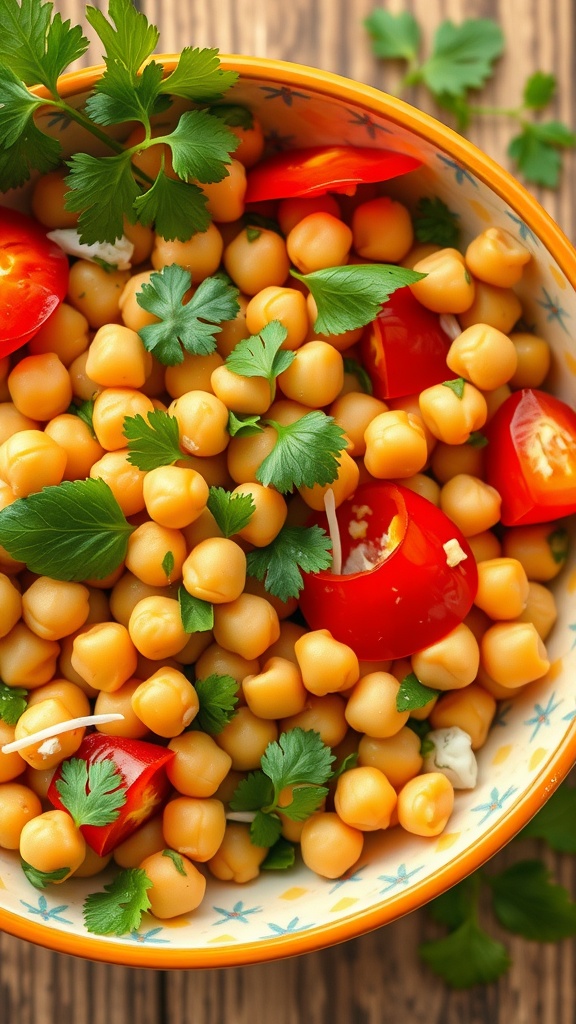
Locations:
377 979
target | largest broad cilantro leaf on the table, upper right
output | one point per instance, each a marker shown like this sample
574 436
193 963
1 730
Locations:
463 56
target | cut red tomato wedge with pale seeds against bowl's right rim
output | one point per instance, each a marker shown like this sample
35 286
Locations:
533 474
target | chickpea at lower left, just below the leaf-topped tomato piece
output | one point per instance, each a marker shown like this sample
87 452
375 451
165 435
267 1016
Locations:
52 843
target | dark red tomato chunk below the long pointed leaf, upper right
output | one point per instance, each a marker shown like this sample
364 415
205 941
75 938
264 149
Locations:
404 350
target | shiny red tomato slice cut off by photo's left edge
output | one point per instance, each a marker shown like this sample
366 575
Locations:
33 279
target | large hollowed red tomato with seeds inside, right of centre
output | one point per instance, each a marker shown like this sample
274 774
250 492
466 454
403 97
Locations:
409 601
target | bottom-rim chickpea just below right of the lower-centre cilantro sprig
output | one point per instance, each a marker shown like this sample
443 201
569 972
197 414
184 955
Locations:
330 846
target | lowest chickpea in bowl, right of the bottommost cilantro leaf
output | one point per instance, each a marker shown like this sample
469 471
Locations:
178 886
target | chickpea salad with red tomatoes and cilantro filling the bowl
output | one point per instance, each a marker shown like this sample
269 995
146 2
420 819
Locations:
281 489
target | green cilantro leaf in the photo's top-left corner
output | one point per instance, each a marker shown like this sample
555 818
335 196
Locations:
37 50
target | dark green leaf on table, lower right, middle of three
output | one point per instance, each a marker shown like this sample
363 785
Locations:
528 904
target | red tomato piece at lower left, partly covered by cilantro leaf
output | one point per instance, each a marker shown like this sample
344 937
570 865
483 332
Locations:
143 767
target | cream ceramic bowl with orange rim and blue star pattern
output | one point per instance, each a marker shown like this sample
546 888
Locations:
532 744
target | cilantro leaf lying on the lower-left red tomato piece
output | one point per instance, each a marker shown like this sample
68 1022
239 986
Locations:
93 794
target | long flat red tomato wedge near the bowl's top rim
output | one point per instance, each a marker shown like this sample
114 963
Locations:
321 169
